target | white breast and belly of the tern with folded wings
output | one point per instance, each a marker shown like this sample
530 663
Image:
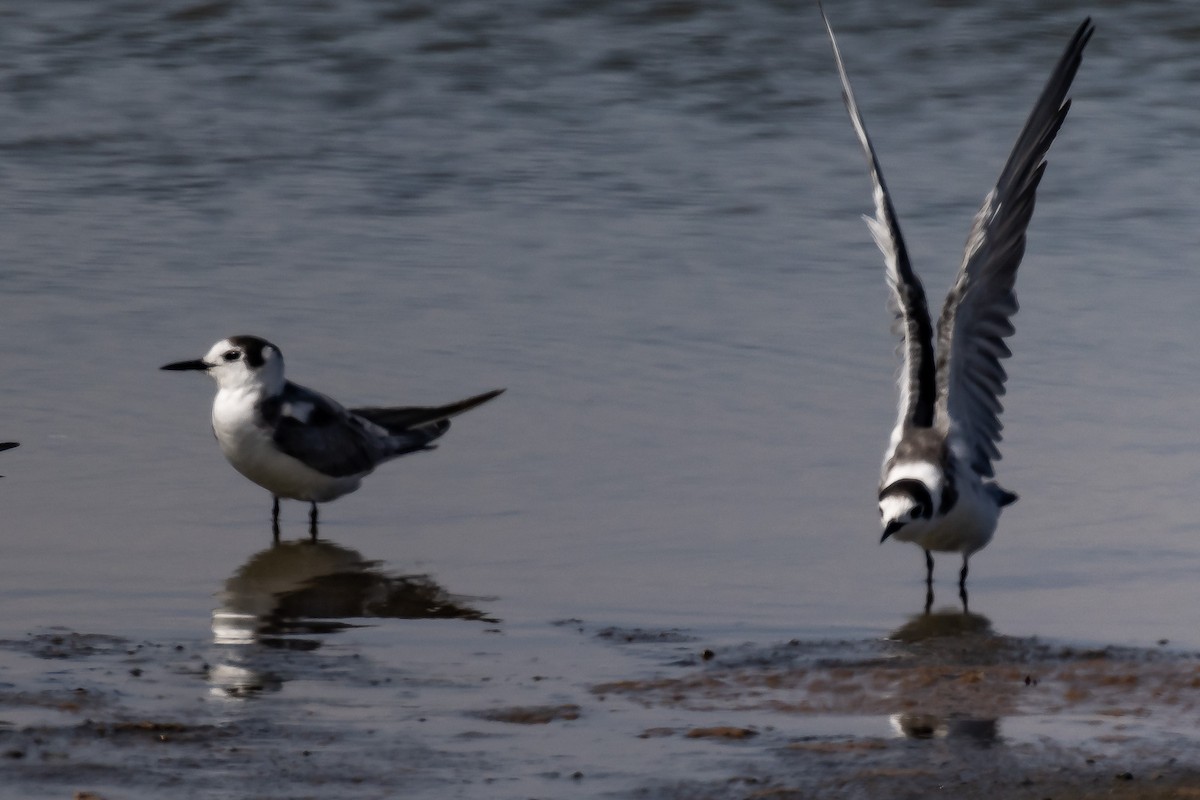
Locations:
250 449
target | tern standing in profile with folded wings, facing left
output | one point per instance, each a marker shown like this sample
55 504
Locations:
299 444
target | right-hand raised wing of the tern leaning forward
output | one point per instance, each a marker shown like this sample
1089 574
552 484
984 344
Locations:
976 318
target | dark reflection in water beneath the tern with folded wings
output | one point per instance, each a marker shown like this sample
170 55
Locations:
314 587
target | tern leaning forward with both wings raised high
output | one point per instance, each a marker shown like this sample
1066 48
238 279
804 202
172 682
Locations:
938 489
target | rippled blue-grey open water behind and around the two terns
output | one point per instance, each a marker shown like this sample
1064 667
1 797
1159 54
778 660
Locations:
643 219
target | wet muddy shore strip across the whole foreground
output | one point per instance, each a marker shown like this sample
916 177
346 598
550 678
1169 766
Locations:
944 707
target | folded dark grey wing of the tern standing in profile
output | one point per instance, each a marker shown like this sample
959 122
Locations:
332 441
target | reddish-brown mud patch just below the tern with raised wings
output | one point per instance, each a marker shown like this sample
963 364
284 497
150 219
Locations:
980 676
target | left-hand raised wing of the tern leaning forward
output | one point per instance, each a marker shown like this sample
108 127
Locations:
908 298
